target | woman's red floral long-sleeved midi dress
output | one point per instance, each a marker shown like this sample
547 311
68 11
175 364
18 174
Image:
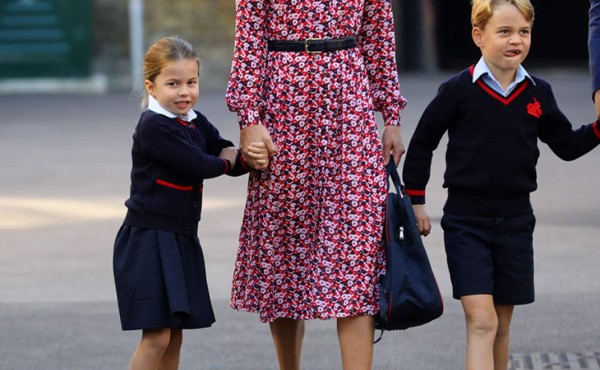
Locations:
310 243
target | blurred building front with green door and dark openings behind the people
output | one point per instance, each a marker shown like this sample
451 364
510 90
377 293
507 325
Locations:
97 45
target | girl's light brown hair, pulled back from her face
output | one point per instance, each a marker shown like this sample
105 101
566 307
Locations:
163 52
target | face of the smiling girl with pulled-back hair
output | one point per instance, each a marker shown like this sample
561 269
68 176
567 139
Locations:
176 86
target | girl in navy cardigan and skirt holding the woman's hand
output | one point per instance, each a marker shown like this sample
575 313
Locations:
158 264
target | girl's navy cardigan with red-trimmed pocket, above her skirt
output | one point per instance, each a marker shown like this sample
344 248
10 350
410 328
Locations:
171 158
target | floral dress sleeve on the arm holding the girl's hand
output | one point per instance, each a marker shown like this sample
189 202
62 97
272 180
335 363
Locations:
245 88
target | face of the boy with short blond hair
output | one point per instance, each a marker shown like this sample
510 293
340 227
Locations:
504 41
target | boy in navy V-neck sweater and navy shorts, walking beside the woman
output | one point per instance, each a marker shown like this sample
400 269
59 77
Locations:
494 113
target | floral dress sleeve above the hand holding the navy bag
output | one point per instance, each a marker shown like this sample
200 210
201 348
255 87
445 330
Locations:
377 42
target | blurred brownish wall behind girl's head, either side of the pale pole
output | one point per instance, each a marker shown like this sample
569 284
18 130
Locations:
207 24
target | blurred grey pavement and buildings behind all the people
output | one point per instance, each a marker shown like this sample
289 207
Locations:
68 73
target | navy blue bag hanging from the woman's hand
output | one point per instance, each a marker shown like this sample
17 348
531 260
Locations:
409 295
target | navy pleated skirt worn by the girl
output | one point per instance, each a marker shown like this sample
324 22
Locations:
160 280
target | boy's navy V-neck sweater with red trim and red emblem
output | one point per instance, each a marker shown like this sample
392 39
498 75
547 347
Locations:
492 147
